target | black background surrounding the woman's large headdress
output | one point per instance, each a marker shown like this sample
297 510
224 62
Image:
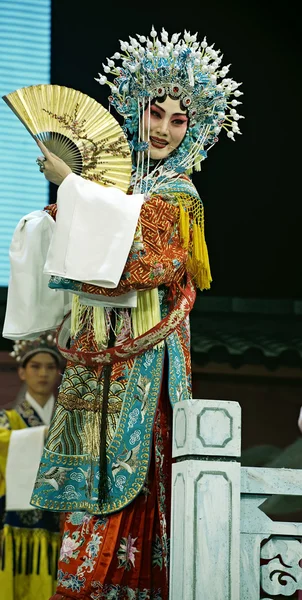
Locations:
251 188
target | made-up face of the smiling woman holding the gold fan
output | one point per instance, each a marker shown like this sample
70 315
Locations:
168 126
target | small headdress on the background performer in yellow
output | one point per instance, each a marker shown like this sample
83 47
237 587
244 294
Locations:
25 349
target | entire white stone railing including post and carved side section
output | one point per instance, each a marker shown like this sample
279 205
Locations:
218 532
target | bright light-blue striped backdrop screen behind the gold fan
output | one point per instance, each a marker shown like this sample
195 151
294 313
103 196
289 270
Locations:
25 60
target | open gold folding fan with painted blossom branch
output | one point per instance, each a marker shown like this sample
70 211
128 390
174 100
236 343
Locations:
77 129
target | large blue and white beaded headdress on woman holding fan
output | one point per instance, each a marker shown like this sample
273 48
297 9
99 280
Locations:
183 69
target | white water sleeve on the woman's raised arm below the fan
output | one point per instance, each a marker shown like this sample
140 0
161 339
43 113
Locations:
94 232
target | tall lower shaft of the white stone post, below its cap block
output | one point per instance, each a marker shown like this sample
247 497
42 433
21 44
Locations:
205 531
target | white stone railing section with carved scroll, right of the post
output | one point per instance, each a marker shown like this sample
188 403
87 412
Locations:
279 543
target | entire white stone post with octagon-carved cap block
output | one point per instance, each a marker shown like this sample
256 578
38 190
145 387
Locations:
205 524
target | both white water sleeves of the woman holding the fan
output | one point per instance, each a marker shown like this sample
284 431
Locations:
89 242
